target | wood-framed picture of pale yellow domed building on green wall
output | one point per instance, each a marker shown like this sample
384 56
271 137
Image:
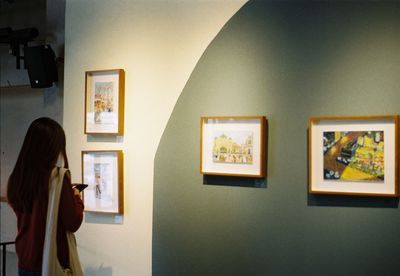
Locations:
233 146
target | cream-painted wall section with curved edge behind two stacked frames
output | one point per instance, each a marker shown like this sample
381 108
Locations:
157 43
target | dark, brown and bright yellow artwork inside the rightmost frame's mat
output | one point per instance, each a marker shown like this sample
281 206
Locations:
354 155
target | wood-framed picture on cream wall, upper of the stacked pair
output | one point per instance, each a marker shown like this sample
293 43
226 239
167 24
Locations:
104 102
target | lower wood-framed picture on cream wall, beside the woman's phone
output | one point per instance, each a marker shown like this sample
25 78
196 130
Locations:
102 172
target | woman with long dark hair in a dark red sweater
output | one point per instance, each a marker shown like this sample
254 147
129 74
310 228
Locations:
43 149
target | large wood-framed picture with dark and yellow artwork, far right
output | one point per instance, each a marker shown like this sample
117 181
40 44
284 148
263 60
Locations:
354 155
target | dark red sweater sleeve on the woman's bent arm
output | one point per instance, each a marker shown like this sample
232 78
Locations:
71 207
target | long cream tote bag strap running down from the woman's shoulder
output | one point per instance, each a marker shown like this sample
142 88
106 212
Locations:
50 264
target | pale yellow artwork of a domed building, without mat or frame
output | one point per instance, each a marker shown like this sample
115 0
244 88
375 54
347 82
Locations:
233 147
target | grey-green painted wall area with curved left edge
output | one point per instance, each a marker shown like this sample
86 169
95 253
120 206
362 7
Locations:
287 61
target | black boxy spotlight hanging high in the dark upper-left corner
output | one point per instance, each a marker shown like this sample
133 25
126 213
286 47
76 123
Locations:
41 65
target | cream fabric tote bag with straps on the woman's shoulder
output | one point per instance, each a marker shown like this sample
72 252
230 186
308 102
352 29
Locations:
50 265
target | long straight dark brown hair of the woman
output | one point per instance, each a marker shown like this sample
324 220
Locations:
43 143
